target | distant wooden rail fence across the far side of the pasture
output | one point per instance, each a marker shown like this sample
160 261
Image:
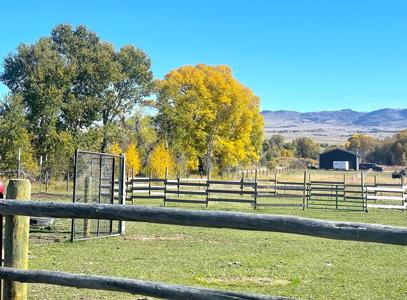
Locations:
273 192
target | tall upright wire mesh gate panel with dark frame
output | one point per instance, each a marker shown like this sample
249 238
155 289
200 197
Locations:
98 178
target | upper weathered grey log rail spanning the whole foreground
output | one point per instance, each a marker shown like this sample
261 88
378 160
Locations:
213 219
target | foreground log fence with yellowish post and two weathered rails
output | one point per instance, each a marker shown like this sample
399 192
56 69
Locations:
16 277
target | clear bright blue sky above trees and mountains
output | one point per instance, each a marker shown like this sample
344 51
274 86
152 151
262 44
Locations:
295 55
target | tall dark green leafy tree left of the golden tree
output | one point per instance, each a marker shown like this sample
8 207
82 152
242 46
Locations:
72 79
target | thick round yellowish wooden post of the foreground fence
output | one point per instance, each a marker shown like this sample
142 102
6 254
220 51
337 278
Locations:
17 230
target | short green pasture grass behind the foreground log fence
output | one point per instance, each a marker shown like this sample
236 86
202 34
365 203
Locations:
258 262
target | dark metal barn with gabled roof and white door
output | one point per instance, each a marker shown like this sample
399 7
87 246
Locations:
328 159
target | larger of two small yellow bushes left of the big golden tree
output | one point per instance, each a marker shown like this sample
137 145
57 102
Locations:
160 159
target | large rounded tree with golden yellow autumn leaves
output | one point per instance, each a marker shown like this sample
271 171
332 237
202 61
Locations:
203 112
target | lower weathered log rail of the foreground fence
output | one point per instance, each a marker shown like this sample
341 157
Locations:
117 284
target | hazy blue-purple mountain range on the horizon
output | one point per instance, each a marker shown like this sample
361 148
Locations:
334 126
